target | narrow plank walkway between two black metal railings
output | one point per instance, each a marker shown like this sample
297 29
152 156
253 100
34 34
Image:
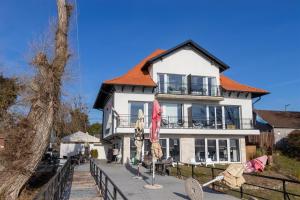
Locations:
83 185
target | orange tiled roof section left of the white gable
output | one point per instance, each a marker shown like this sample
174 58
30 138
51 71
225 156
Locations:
136 76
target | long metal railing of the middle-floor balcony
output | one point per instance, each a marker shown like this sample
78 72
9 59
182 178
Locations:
128 121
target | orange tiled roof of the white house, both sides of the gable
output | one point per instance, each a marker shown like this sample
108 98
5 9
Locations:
136 76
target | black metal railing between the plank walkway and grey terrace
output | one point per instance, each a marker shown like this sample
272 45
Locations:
107 187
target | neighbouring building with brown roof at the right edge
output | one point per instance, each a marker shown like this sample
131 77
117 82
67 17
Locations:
280 123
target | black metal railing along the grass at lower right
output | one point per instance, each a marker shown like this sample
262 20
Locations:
286 194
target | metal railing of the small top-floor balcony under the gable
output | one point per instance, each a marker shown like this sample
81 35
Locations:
188 89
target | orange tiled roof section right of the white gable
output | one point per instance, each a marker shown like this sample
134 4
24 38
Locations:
231 85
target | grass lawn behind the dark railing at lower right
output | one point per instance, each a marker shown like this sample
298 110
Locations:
283 167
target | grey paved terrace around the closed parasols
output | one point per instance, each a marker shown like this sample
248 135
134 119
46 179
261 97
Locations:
173 188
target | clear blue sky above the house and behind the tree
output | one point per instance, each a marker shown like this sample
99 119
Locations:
258 39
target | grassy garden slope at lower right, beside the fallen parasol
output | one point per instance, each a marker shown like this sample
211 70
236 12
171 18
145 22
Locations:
259 185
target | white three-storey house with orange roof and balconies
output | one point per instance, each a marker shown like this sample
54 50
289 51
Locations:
205 114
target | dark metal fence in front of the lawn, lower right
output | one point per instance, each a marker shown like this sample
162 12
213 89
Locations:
214 171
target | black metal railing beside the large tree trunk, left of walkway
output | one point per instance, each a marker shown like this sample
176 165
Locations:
55 188
